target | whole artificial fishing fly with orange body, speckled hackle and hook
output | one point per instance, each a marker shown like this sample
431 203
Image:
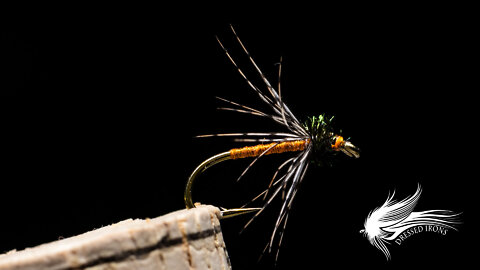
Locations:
315 141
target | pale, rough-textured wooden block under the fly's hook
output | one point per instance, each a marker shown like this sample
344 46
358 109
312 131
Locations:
185 239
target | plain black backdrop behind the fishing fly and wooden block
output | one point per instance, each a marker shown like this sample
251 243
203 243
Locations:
101 103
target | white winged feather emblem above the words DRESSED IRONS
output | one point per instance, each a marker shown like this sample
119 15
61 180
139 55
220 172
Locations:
387 222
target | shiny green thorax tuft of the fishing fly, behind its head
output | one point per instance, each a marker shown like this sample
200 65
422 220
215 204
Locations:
322 136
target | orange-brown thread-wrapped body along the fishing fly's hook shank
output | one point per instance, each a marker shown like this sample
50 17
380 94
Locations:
276 148
